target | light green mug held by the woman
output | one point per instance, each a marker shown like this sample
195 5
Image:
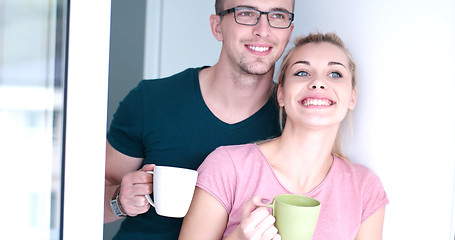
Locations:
296 216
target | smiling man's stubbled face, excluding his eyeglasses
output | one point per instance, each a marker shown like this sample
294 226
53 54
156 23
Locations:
254 49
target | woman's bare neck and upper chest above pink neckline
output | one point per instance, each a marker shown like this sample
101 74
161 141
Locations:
301 159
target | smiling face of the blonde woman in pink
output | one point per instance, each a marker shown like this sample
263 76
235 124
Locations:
317 90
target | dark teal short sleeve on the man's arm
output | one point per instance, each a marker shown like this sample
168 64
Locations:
125 132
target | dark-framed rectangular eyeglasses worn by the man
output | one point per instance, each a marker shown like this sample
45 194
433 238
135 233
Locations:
250 16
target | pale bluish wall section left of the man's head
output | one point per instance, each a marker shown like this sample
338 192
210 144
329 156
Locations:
184 37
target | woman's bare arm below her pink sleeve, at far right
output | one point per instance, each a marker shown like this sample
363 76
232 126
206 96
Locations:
371 229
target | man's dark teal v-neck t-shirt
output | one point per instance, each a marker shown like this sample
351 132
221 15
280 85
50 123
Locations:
166 122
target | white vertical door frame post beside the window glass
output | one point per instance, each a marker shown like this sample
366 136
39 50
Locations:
88 65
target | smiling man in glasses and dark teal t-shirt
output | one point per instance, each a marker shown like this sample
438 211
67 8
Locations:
178 121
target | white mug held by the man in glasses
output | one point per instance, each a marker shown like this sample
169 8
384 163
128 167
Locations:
173 190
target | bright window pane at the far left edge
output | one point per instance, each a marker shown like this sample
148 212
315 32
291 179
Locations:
32 47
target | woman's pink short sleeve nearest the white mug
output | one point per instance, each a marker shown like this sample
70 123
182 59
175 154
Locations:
217 176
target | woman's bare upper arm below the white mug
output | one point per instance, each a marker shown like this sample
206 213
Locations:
206 218
